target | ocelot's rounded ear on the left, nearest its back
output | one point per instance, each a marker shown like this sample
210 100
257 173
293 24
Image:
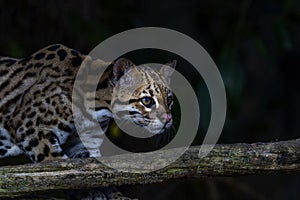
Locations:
120 67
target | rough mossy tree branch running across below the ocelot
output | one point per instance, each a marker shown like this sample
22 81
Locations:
223 160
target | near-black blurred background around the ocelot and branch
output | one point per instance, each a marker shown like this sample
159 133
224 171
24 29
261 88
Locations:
255 44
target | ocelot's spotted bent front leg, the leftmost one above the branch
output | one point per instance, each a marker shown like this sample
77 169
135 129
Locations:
39 138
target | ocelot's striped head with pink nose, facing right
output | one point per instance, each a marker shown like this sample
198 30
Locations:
143 95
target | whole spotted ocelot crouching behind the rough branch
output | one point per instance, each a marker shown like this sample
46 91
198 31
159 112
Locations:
36 116
